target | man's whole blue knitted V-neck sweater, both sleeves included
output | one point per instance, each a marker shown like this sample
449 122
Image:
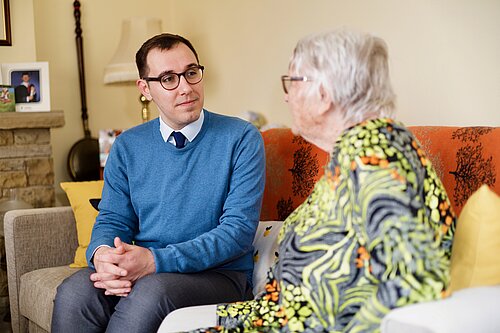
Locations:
195 208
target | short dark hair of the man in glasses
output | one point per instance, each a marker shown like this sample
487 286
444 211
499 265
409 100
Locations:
162 42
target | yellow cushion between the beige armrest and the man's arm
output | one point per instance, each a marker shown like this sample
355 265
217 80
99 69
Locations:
79 194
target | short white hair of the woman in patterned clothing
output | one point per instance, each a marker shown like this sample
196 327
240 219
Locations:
352 68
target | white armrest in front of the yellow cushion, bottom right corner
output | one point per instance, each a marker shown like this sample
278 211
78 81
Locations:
468 310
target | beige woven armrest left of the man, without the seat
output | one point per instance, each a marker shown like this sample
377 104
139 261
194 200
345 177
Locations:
36 238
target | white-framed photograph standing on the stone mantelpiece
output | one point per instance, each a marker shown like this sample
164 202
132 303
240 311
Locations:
31 85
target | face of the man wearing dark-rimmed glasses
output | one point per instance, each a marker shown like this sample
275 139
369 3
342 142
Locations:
181 106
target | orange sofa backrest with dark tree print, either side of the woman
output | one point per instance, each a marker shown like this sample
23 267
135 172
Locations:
464 158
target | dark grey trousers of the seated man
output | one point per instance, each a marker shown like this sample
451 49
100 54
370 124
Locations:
80 307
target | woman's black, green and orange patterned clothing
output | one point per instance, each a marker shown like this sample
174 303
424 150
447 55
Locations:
375 234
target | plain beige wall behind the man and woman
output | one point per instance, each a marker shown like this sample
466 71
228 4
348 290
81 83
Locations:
444 55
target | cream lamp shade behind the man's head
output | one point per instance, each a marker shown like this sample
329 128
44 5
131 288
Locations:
135 31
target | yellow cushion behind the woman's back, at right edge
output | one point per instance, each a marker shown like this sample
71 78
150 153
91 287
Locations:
475 259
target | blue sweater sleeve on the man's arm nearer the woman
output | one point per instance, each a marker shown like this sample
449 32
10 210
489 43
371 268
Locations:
233 236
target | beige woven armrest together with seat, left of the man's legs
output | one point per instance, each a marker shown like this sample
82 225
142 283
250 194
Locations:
40 244
